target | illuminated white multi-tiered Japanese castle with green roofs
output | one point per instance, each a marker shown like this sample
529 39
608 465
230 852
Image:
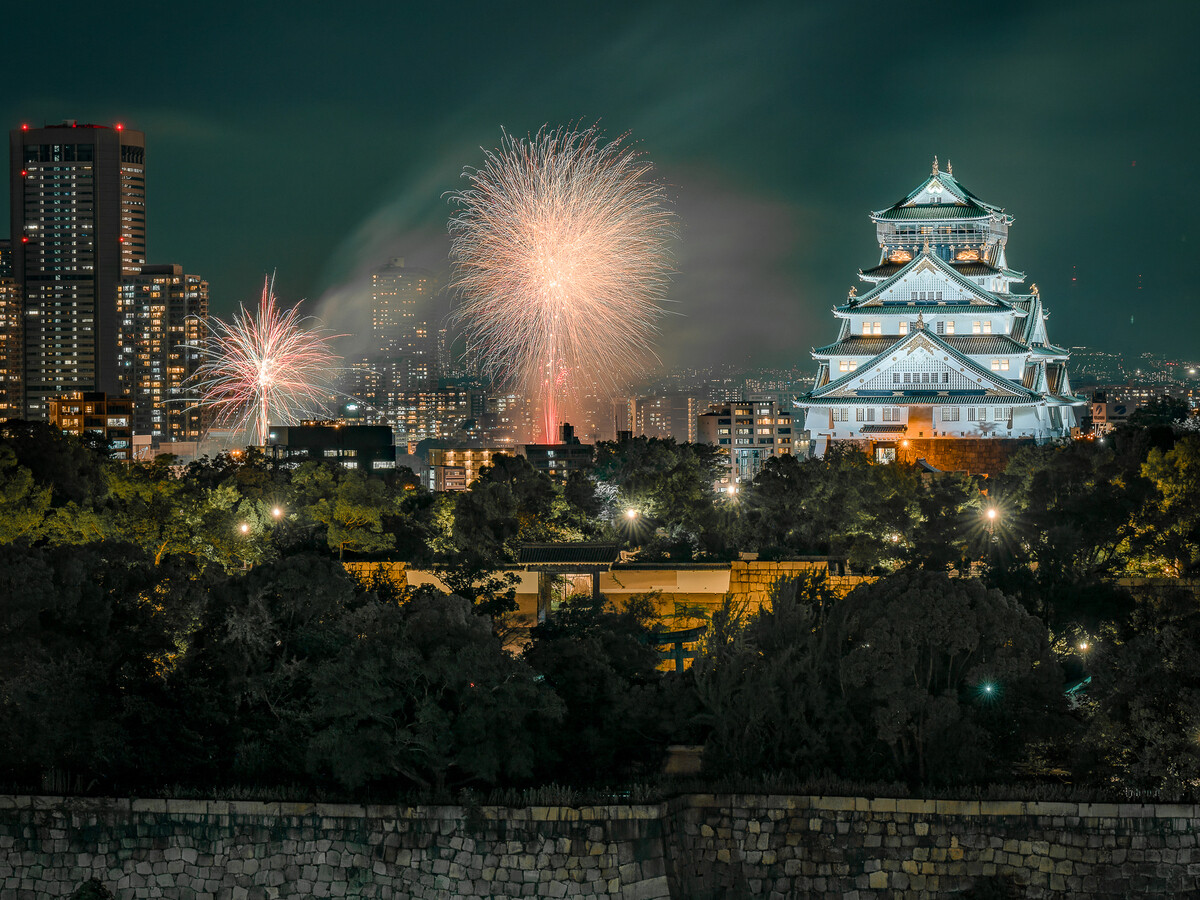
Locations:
939 358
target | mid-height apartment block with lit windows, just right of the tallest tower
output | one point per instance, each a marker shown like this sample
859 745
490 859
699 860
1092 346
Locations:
161 331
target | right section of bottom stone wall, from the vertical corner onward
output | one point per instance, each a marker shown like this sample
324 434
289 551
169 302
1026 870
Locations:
778 848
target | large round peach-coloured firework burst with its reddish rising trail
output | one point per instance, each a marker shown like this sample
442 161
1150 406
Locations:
560 251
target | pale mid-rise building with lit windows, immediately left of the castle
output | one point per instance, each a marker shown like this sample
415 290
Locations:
751 433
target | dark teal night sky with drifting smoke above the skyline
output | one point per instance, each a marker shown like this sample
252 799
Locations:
317 140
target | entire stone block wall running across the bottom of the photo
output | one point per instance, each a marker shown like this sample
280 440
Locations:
694 847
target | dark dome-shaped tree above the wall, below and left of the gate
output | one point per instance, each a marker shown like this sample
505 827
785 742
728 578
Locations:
427 697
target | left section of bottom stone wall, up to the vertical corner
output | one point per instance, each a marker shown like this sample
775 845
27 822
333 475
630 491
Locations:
256 851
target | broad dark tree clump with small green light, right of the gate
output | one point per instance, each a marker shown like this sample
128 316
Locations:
917 676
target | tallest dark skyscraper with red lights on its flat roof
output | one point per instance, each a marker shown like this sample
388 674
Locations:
79 226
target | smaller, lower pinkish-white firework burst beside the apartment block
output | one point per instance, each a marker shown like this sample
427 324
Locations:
262 367
